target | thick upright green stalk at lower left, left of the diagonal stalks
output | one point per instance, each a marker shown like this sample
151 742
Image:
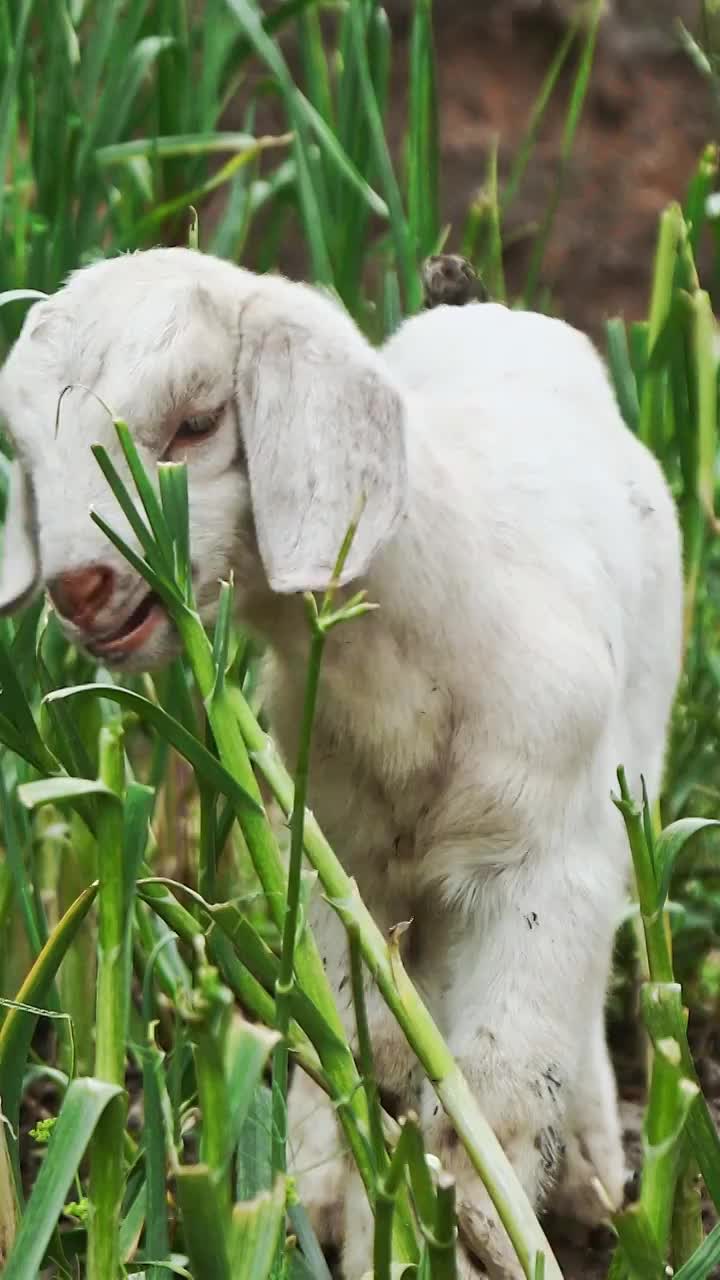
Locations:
107 1174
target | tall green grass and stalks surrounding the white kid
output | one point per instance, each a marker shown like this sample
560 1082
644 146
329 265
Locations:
112 127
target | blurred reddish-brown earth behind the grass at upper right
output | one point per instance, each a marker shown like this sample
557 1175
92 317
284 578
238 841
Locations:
650 111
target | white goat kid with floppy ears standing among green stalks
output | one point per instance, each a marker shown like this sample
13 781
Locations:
525 552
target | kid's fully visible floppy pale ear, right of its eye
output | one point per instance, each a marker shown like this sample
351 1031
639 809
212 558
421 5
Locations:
323 431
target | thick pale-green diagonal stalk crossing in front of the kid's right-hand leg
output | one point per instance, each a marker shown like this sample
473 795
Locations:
413 1017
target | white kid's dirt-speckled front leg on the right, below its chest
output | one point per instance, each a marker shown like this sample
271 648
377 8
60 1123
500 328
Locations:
526 999
